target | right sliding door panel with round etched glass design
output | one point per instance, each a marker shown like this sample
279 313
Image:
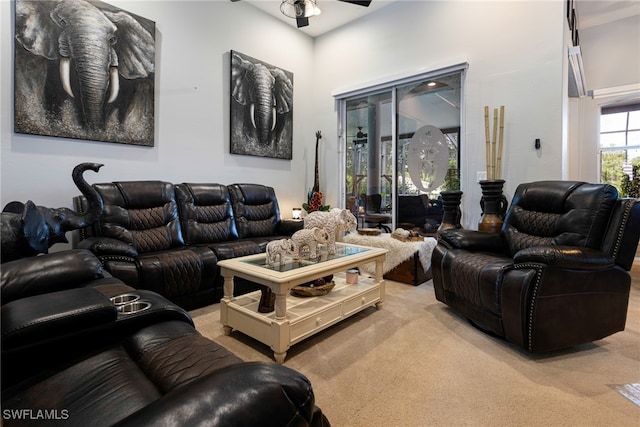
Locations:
428 144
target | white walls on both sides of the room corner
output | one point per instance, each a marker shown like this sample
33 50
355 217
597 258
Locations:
515 52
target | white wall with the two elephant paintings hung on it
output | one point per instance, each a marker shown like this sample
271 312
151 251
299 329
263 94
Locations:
193 40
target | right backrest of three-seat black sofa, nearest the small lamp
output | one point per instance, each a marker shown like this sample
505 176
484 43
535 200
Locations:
255 209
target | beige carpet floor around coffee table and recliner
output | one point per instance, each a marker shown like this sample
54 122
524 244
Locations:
414 362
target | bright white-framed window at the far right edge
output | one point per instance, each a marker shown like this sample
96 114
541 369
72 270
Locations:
620 148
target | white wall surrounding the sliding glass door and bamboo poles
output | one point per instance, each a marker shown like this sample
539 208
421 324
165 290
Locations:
515 55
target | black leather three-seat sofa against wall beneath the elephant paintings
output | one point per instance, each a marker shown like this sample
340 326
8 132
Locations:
168 238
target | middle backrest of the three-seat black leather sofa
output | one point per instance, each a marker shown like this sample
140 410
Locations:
206 214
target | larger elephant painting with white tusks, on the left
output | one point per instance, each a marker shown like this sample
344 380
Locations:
84 69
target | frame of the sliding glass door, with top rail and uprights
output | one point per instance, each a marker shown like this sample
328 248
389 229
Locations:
342 97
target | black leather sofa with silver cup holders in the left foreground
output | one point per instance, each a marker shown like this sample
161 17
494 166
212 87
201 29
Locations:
71 357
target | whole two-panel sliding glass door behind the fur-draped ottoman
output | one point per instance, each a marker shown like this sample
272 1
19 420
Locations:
402 148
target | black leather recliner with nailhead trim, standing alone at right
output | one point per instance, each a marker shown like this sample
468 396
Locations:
557 274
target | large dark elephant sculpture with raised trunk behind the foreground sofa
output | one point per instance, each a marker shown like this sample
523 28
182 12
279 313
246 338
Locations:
28 230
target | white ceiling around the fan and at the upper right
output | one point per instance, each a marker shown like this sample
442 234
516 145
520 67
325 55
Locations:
336 13
